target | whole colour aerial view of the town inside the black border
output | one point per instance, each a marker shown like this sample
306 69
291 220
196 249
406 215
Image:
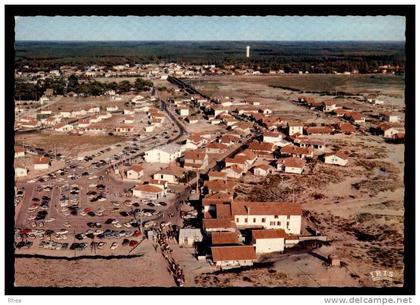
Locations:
244 161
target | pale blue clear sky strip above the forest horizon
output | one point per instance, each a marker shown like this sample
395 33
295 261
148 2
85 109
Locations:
157 28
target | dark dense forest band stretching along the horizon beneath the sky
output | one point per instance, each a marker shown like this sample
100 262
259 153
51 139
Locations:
318 57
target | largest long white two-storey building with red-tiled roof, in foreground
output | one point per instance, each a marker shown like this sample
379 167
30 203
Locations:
268 215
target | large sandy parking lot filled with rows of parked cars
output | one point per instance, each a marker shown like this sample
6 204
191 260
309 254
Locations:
82 209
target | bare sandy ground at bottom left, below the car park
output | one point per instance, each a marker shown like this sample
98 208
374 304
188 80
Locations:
127 272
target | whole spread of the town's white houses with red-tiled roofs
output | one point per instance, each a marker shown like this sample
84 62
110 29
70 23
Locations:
251 143
